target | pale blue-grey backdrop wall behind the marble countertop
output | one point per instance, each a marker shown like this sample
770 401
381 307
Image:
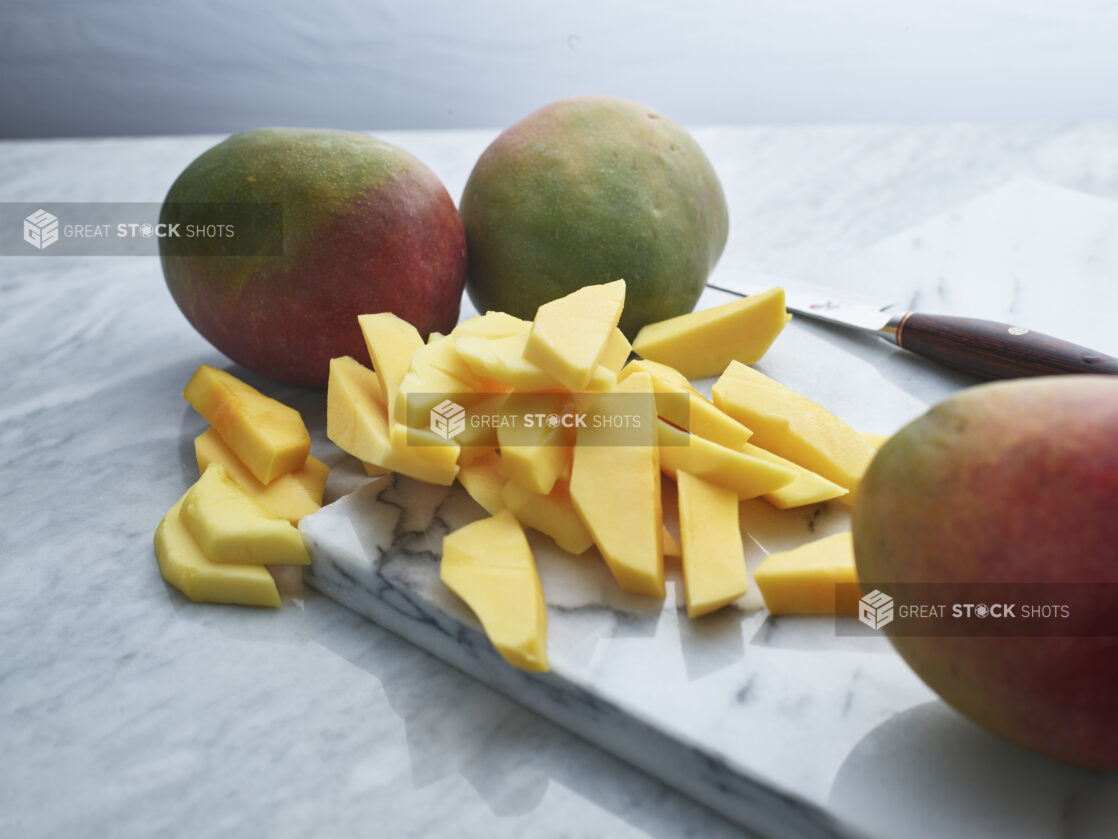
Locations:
113 68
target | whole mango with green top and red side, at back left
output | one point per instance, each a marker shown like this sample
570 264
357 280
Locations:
366 229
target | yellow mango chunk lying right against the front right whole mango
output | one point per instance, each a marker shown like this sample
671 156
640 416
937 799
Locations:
803 581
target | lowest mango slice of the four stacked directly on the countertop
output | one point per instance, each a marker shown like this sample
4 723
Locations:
184 565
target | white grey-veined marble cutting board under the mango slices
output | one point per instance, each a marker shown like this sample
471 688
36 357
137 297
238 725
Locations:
778 723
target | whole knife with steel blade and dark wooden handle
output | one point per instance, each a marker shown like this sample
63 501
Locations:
984 348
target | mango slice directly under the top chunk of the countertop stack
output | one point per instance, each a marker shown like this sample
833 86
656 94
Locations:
290 496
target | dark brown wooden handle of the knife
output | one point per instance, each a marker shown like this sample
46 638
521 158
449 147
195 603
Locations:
994 351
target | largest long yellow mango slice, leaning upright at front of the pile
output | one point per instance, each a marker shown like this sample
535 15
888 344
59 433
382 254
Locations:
615 491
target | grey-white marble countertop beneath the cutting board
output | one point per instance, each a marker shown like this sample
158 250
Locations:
128 711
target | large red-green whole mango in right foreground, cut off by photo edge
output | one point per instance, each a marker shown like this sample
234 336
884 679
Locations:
1008 483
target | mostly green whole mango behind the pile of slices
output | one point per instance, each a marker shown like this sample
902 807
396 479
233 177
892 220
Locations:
589 191
